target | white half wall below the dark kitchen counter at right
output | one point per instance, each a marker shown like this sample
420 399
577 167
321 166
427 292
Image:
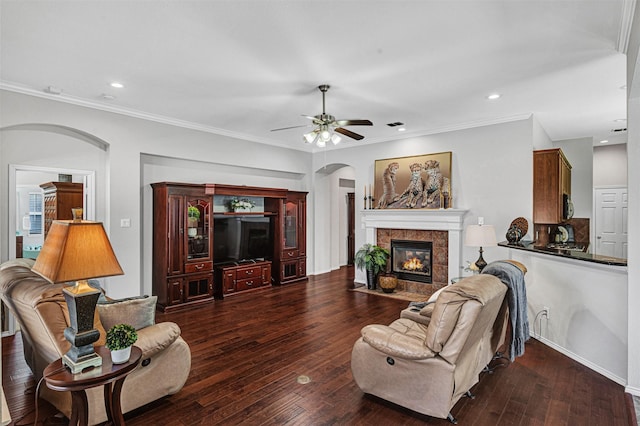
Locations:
587 320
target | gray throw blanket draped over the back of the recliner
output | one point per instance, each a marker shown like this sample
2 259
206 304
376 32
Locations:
513 278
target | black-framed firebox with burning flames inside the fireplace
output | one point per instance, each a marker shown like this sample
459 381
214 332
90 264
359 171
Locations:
412 260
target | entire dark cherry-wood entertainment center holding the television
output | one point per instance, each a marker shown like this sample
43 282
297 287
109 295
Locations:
202 249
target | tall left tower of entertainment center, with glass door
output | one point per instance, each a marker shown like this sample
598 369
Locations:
182 245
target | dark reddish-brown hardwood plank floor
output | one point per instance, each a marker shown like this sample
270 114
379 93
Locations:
249 350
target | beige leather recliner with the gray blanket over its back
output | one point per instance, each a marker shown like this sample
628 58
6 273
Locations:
427 363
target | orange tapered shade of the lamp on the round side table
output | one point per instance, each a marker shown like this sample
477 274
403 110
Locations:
76 250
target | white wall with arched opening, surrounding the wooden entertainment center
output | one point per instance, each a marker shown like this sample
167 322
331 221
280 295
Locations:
122 188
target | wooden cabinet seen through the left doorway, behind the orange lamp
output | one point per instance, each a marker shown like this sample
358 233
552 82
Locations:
59 199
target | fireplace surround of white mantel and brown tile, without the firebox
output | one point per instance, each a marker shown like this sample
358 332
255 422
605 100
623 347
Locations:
442 227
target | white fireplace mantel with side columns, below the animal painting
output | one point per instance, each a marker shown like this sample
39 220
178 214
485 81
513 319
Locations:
450 220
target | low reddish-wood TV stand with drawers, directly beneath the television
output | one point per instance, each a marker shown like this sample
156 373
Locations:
236 278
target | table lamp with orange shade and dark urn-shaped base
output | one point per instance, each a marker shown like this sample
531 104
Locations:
76 250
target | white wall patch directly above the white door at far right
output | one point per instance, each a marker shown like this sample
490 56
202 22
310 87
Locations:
610 165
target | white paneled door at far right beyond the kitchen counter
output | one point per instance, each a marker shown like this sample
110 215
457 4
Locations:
611 222
